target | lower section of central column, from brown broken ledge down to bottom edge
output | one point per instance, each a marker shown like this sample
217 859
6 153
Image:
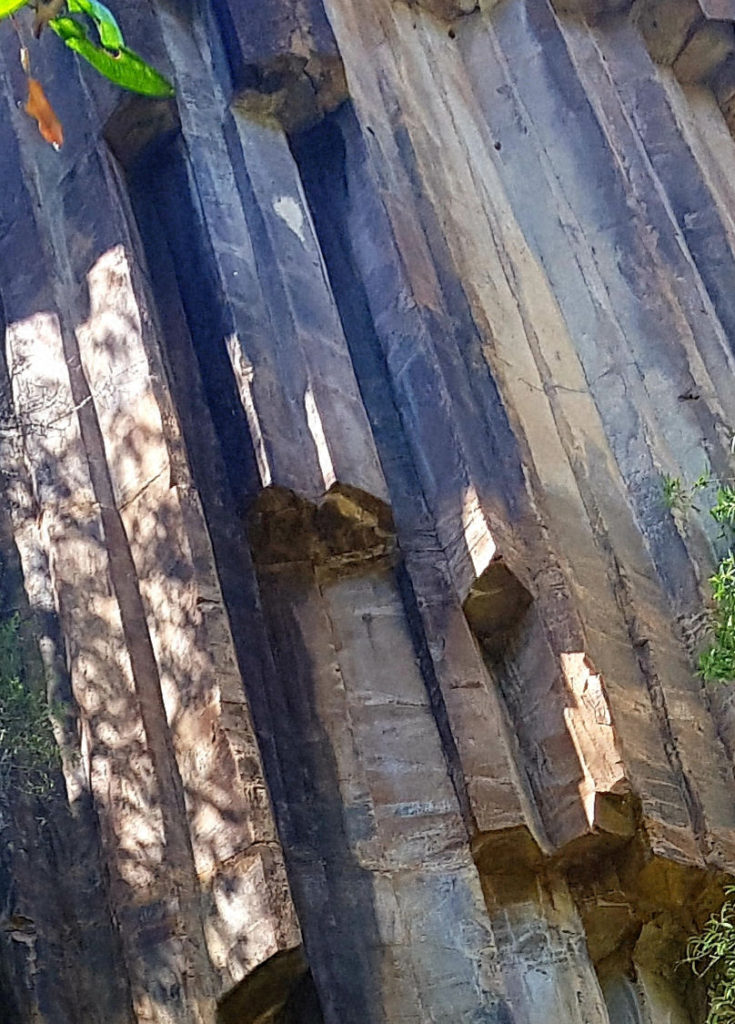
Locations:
394 918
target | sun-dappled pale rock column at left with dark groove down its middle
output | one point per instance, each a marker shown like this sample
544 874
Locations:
197 879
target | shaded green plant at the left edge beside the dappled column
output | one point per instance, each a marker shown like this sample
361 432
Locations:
28 750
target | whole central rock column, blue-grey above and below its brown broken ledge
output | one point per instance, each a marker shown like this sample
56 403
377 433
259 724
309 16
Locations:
388 897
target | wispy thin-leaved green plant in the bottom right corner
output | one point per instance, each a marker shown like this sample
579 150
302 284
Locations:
712 957
